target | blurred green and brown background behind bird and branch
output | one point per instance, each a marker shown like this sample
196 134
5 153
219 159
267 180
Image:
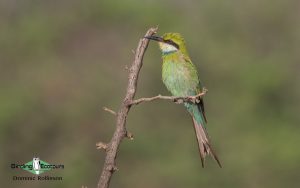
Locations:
62 61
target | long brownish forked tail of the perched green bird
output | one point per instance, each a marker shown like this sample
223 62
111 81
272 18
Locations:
203 143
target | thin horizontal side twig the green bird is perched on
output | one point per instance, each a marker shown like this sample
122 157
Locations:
193 99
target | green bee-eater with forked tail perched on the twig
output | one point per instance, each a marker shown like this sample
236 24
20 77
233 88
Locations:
180 77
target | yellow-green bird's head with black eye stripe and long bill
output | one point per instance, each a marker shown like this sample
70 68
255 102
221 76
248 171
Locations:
170 42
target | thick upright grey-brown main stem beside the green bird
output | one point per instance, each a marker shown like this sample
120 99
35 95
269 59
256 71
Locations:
111 151
